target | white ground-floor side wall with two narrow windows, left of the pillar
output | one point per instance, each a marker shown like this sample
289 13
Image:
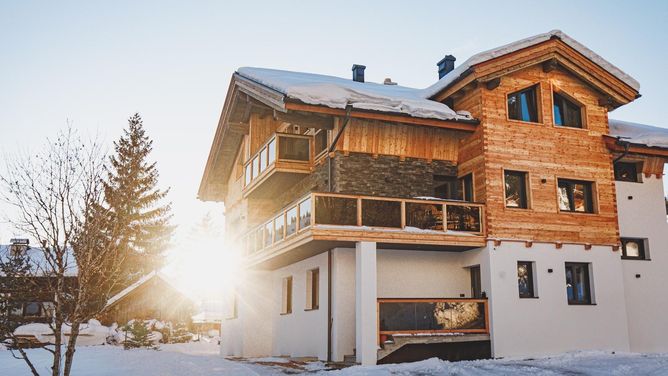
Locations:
302 333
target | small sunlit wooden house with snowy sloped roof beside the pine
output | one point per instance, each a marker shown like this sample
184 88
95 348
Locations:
151 297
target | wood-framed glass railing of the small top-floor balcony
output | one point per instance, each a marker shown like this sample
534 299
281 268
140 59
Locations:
282 148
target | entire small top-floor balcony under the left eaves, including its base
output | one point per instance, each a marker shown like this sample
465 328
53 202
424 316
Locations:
279 161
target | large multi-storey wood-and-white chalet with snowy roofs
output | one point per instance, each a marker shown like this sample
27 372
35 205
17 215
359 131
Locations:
498 212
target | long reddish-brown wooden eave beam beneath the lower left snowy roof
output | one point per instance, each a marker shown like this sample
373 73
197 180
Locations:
447 124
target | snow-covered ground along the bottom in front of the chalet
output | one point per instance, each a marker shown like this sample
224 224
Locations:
198 359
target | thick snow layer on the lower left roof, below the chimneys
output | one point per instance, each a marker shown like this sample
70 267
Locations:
337 92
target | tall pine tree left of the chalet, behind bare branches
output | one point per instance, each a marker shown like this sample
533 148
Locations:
135 201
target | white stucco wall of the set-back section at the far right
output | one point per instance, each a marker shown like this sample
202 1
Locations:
644 216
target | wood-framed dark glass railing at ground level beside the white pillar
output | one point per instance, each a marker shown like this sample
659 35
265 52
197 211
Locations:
432 316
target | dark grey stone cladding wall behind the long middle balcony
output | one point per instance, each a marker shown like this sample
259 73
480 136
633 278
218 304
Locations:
387 176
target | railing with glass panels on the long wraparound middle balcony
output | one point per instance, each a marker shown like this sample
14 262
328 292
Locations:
331 210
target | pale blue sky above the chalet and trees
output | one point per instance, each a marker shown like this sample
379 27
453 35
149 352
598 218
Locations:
95 63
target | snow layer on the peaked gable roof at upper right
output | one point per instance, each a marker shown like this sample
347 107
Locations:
524 43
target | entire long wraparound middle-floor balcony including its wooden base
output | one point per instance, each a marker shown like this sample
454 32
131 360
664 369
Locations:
321 221
